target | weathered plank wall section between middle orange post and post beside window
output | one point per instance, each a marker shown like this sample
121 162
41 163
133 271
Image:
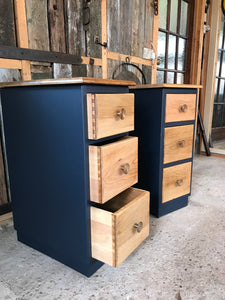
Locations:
129 27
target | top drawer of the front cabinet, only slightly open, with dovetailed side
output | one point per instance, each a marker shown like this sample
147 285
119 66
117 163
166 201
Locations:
109 114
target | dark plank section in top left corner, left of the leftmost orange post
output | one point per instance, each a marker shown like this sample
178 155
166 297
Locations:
7 24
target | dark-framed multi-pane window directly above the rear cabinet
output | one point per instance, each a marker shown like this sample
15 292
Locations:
173 39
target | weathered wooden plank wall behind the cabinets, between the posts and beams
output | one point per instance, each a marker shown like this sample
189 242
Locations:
66 26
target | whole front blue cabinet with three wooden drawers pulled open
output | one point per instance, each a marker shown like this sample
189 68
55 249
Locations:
71 167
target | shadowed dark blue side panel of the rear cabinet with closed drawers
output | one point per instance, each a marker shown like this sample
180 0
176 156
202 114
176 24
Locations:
149 112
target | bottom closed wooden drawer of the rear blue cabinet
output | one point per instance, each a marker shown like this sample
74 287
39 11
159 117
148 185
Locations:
176 181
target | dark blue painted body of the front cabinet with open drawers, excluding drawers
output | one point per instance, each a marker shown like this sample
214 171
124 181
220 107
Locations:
47 152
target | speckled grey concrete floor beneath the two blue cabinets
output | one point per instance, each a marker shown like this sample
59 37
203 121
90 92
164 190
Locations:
183 258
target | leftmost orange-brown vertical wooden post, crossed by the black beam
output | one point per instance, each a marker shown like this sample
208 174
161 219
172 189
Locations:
22 35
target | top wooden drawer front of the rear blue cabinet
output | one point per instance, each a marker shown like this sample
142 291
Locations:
180 107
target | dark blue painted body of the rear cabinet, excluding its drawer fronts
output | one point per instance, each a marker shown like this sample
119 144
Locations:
149 127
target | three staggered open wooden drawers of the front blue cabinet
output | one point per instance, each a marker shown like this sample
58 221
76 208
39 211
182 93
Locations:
120 220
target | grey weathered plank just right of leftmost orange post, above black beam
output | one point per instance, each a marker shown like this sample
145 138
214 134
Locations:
37 24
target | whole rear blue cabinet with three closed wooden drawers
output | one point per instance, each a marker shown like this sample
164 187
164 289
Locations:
165 124
